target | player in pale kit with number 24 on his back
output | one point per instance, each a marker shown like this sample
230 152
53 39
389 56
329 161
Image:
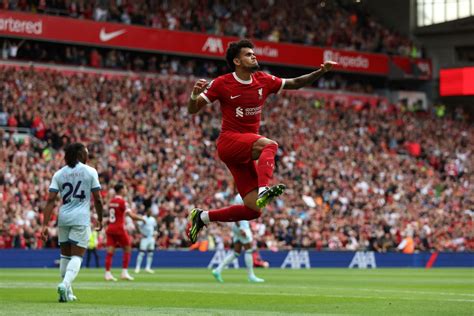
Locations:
74 182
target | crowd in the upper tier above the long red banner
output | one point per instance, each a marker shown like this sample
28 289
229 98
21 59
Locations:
346 25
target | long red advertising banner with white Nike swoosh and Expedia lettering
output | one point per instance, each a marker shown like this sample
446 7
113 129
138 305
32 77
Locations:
58 29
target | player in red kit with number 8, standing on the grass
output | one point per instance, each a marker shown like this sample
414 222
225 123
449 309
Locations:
116 233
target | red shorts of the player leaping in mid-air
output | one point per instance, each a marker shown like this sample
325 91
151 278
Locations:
235 150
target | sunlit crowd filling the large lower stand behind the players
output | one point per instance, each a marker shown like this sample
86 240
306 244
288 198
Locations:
359 176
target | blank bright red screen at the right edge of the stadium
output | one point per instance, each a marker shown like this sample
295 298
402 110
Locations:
456 82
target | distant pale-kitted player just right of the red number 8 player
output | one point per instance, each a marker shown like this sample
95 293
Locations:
147 243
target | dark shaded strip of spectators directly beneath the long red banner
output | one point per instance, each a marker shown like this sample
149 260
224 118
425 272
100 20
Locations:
151 63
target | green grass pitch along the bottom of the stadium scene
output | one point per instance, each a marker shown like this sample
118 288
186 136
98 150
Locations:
194 291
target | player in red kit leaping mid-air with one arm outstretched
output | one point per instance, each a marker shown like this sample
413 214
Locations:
242 94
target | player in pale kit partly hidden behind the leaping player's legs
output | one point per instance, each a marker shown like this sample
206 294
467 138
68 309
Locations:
242 239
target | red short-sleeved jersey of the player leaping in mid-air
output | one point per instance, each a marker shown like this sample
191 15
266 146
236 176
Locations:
242 101
